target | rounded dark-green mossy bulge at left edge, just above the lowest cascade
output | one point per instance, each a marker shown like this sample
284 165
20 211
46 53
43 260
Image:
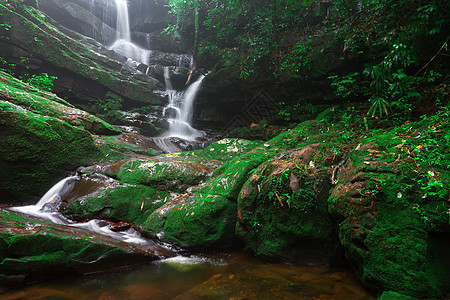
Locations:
37 149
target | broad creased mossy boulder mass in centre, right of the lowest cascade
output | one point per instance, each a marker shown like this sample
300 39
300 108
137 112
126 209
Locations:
157 193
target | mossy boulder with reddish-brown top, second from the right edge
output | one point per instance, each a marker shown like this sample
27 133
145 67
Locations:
282 208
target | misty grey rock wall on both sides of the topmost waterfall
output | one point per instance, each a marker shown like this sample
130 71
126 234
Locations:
97 19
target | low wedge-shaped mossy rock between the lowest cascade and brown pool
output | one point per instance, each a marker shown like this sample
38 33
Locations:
33 249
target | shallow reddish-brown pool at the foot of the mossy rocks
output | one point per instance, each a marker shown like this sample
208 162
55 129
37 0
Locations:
219 276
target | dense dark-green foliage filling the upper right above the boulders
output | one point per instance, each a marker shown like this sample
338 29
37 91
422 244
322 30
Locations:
395 46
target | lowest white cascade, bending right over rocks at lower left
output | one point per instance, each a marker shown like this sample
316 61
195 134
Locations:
48 206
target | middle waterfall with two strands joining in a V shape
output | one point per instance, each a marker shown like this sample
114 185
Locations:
179 111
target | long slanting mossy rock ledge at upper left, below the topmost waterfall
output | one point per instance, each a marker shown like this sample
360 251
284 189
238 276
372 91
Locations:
86 70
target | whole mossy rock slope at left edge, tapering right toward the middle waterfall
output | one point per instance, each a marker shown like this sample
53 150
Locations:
43 137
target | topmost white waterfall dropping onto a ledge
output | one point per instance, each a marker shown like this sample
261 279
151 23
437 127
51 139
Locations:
123 44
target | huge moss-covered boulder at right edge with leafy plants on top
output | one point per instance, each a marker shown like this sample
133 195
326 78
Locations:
391 204
